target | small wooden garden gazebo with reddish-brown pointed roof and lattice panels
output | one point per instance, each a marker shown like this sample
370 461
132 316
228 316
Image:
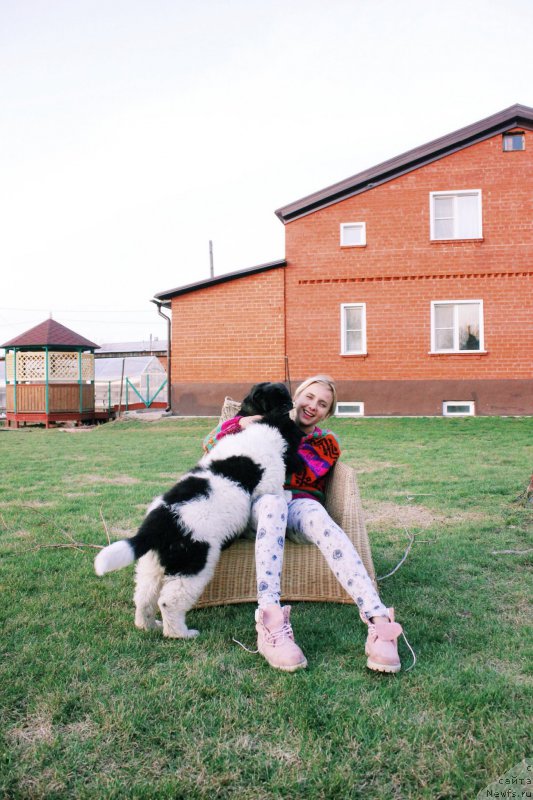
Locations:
49 376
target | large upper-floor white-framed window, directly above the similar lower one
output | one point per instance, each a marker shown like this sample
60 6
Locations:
455 215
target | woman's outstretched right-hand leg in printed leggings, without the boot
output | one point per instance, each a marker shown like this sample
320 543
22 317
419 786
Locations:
310 521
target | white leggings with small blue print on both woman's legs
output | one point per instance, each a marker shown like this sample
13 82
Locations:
307 521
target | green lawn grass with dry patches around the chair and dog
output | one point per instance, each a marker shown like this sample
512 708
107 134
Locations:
93 708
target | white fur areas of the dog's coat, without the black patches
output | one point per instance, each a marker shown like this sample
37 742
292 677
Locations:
215 519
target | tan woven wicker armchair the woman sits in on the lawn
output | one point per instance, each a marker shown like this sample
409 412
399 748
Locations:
306 575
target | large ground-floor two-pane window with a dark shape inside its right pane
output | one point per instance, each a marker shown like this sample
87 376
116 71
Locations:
457 326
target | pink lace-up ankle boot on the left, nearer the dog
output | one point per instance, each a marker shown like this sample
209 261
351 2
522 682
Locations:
275 639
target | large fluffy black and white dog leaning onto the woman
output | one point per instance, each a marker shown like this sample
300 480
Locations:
179 542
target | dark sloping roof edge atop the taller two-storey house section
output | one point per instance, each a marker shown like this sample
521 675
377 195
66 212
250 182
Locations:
512 117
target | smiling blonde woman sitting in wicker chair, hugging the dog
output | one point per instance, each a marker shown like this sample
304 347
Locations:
306 520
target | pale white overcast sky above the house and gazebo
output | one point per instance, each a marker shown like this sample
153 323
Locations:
134 132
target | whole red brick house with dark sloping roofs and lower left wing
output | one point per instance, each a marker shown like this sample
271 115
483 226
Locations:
410 283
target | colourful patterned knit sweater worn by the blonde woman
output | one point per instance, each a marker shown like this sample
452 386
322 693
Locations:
318 450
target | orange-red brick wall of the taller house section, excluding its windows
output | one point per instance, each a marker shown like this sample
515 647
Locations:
400 271
